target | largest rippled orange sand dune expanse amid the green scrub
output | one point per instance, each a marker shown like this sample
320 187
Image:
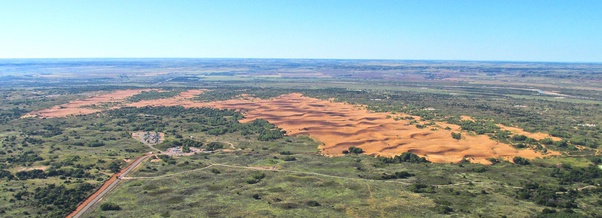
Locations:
339 126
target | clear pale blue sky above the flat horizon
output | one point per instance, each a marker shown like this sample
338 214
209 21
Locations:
525 30
